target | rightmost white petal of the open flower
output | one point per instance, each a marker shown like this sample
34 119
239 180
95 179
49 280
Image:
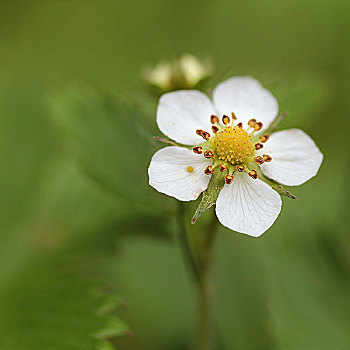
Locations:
295 157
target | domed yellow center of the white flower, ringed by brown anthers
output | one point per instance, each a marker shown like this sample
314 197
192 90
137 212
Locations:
233 145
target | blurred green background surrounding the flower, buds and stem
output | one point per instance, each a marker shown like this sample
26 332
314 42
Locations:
83 256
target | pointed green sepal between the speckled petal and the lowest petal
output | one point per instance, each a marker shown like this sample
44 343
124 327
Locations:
210 195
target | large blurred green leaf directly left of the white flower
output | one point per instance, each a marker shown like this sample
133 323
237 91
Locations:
109 141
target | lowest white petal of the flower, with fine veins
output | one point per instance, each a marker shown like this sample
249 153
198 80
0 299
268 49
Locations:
248 206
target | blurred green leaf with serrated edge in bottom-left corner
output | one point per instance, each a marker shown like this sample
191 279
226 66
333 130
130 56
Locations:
51 305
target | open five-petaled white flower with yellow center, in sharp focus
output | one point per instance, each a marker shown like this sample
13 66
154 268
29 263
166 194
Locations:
246 204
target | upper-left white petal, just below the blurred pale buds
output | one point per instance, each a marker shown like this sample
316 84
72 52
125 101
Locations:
181 113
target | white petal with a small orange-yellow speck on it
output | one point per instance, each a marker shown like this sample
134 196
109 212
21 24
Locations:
168 173
